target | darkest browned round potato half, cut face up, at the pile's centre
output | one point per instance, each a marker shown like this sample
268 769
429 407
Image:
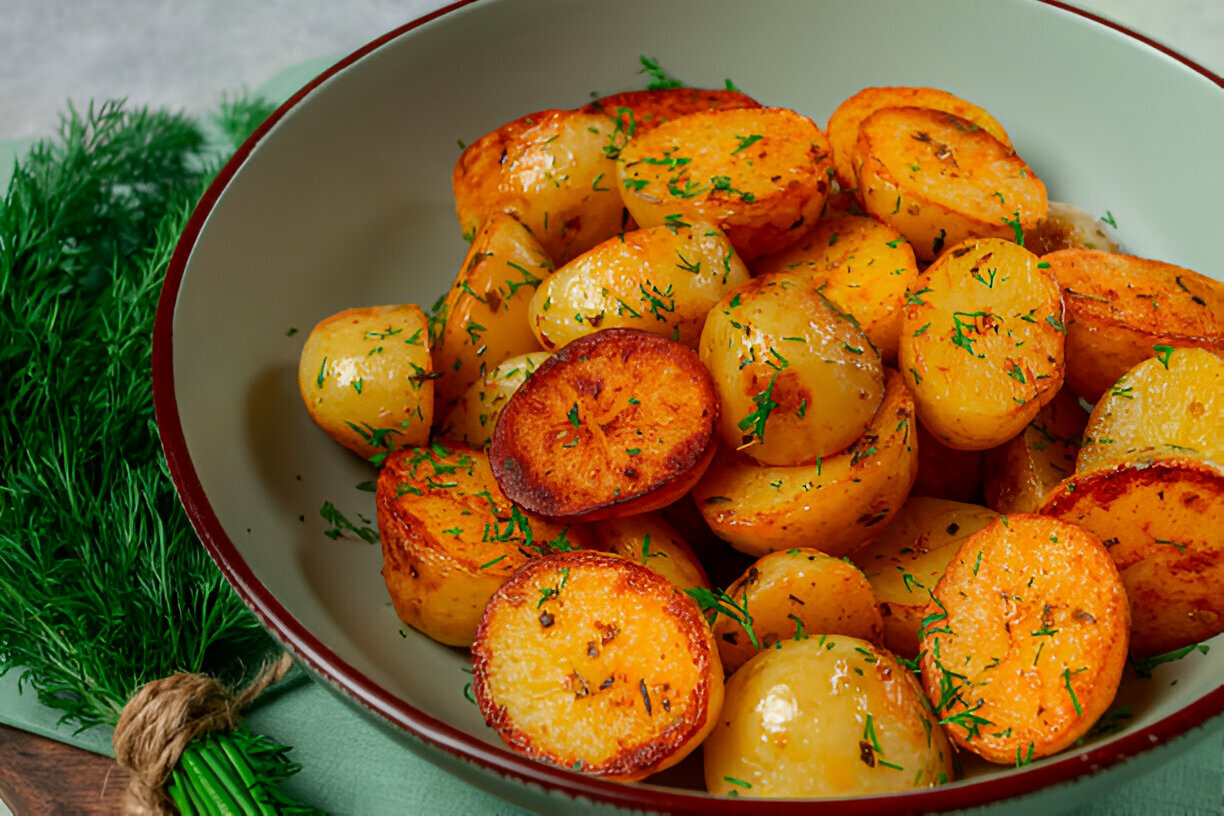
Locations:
616 423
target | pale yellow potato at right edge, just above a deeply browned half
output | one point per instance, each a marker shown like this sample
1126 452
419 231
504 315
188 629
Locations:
1173 403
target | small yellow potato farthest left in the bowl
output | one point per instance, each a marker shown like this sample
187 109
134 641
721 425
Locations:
365 376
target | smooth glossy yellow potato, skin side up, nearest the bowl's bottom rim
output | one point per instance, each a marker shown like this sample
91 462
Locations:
826 716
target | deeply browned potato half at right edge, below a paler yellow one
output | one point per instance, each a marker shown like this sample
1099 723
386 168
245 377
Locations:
1162 521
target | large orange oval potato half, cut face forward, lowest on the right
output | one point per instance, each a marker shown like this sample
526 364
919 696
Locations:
1025 639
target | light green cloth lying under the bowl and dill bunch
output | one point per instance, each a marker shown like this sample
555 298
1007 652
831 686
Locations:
352 766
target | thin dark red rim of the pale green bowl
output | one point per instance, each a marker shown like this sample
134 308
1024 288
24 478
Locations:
493 760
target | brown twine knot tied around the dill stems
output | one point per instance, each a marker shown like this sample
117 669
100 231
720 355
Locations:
161 720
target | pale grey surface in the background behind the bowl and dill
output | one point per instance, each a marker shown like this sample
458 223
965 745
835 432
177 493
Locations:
185 54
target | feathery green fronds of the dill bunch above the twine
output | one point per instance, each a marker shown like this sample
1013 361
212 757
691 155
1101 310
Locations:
103 584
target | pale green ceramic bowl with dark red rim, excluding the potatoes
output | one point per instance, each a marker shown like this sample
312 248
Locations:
343 199
